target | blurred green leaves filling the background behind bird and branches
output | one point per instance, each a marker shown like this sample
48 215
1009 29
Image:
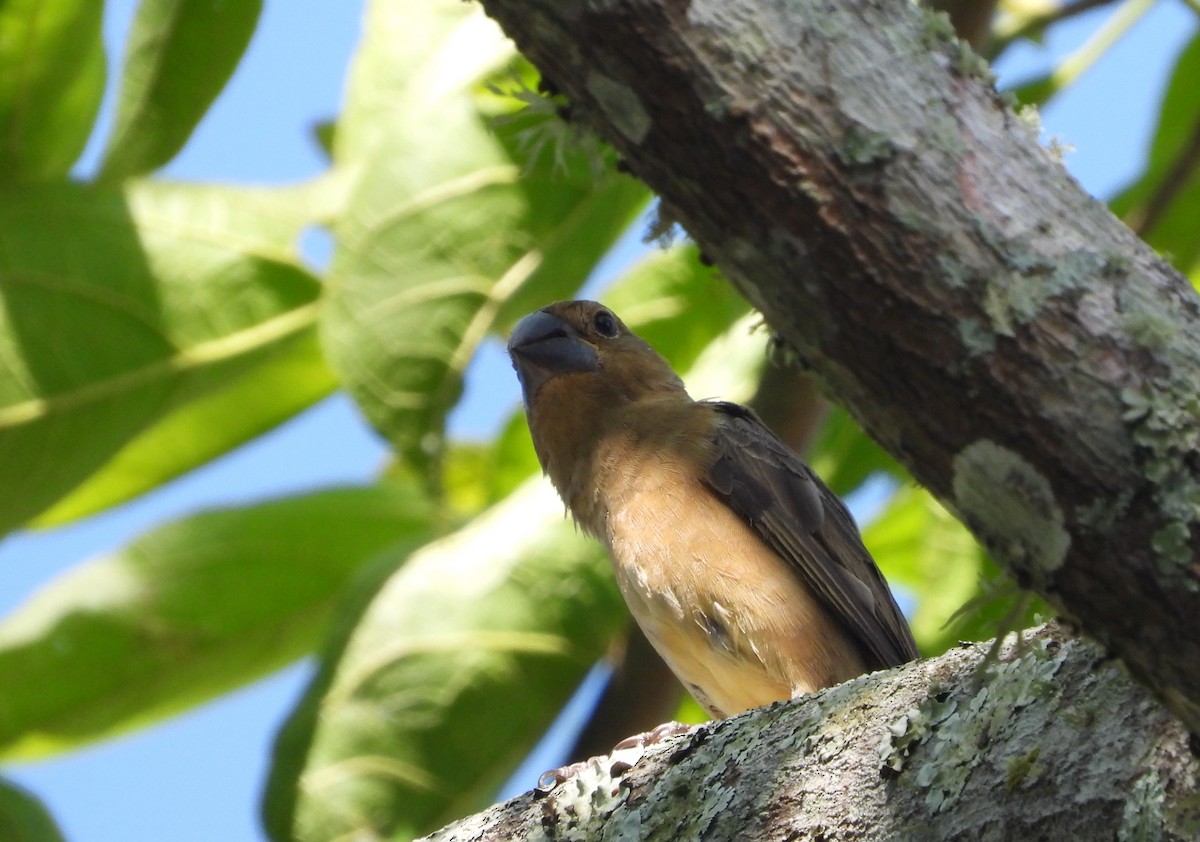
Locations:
451 608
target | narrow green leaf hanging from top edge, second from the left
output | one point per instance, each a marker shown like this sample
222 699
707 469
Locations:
181 55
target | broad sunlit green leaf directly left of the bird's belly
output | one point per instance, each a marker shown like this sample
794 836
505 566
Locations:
446 677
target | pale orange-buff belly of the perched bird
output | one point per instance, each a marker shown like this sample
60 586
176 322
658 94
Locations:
730 618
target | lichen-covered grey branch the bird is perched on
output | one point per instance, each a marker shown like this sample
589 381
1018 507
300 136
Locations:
1053 742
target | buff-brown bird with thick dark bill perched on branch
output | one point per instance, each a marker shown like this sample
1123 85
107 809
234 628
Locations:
746 573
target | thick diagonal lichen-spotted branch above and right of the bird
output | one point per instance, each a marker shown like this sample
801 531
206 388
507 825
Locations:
850 167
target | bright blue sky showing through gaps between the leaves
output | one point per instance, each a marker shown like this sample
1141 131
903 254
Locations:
199 778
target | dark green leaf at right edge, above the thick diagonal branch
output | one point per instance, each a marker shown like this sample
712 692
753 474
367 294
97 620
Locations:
1162 203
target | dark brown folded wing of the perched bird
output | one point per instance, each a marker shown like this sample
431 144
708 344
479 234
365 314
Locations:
788 506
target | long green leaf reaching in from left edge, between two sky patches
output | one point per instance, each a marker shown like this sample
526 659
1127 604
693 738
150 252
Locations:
188 612
